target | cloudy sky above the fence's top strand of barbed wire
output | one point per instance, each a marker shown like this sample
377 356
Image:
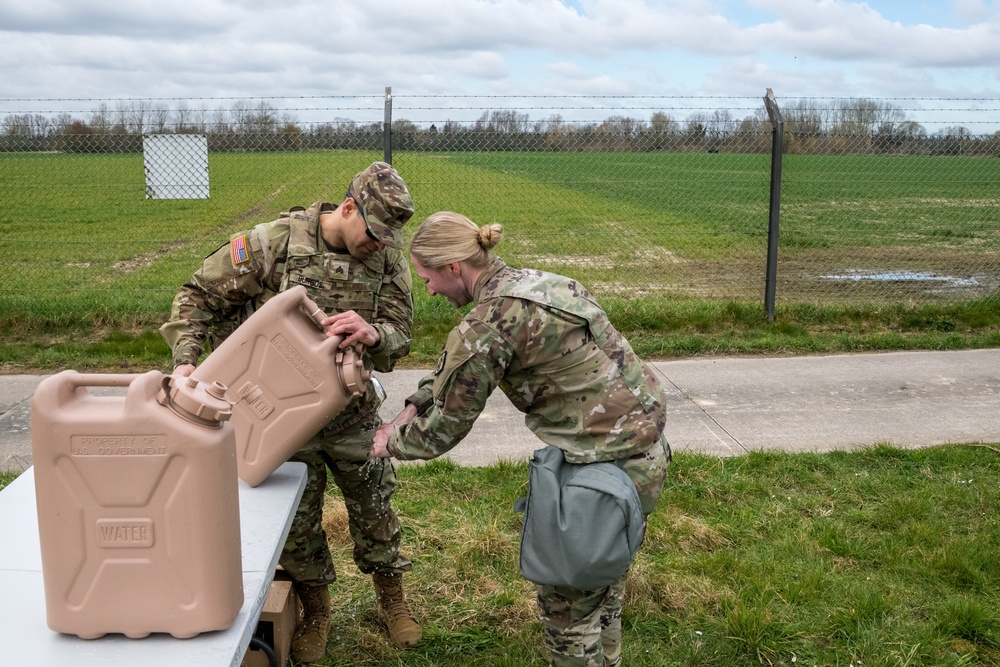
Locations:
113 49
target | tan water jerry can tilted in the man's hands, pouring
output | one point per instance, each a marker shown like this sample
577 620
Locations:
286 380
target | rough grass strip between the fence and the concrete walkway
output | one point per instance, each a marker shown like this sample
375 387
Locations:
657 331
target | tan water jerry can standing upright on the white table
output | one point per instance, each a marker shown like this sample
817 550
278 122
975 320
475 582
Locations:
138 512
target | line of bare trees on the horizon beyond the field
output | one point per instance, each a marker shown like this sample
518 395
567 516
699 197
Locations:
847 125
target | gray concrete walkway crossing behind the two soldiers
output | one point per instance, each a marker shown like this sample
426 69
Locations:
724 406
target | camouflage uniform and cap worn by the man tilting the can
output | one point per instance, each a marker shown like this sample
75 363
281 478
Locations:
255 266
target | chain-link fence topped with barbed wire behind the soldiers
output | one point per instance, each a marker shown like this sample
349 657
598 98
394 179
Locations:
881 201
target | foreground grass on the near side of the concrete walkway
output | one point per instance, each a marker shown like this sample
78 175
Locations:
875 558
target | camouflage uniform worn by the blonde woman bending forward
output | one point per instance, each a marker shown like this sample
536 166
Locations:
549 346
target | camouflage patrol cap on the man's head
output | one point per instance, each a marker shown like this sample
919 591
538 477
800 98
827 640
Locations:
384 202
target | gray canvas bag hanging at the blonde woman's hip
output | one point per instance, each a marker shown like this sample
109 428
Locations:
583 523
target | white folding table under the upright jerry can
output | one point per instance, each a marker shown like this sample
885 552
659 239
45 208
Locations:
265 516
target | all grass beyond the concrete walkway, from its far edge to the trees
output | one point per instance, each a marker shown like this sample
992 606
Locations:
674 244
